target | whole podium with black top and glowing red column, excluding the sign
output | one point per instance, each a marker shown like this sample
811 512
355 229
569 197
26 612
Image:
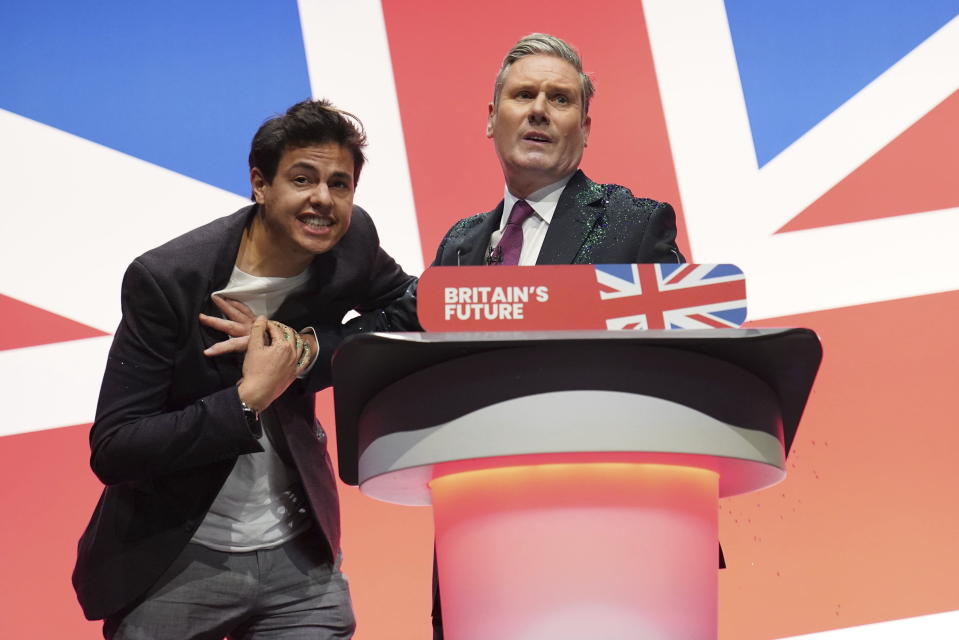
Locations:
574 475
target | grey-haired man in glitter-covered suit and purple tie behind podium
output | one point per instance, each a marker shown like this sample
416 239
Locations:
551 213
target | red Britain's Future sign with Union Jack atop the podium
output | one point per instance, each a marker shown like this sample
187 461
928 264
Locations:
608 296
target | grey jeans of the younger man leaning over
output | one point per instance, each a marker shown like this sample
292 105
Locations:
292 592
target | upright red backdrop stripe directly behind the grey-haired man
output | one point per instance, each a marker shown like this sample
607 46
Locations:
445 59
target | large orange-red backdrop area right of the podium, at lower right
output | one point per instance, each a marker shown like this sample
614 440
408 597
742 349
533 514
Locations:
864 527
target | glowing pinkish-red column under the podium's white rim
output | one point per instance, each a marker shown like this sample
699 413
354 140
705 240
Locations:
577 550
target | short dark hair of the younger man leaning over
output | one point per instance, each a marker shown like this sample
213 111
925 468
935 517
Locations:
307 123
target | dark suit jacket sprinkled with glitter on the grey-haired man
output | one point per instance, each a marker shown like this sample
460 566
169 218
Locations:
593 224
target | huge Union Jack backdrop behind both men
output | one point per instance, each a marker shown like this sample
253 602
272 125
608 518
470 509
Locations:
813 144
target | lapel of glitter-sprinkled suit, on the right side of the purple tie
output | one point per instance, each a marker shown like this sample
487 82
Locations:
579 209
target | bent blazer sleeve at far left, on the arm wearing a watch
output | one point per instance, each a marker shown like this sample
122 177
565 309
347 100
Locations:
136 435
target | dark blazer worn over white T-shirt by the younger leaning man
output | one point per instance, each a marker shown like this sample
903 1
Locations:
169 426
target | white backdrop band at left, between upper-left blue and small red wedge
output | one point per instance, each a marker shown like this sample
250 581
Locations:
76 214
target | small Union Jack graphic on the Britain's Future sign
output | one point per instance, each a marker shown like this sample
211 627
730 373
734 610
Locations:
672 296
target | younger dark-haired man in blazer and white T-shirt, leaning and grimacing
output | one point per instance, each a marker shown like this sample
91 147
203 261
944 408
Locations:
220 514
